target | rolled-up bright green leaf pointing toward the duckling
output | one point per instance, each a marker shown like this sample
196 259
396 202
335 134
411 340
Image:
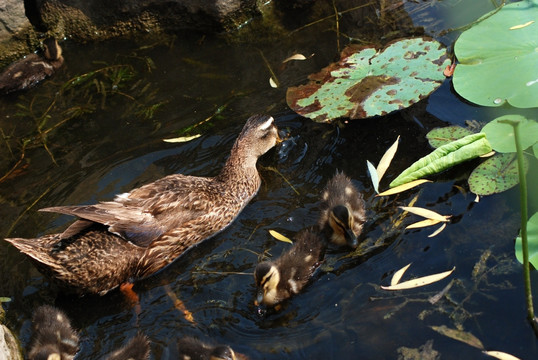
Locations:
448 155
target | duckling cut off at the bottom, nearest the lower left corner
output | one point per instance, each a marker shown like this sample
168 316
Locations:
53 337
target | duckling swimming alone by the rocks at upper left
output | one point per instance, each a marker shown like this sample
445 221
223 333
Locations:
29 71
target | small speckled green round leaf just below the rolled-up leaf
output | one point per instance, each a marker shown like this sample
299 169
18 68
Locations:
496 174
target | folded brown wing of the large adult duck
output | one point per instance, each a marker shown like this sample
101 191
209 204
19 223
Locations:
145 213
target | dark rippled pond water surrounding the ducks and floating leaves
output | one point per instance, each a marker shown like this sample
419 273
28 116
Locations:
343 313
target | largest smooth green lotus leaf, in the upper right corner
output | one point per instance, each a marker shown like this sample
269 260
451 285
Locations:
498 58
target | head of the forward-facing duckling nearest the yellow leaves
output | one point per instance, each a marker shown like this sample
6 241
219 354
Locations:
345 228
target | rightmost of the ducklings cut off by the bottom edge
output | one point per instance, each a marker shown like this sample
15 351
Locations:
193 349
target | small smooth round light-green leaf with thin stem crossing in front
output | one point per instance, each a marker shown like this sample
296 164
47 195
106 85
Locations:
501 136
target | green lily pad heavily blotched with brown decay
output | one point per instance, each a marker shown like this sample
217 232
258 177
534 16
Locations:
367 82
